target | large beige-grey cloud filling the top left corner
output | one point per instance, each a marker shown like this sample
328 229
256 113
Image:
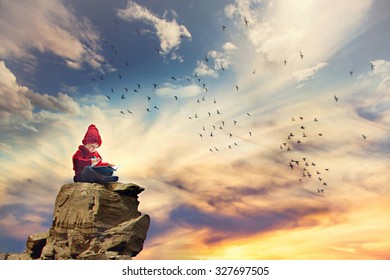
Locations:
48 27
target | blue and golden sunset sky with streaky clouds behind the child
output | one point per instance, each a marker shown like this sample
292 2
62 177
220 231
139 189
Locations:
259 129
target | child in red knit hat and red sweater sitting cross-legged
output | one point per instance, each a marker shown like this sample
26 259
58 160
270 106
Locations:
87 163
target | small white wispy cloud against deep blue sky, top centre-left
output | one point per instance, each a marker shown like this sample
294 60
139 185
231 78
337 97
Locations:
169 33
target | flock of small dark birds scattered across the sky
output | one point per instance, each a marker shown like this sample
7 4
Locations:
214 125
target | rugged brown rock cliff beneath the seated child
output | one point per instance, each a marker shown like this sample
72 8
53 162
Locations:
91 221
